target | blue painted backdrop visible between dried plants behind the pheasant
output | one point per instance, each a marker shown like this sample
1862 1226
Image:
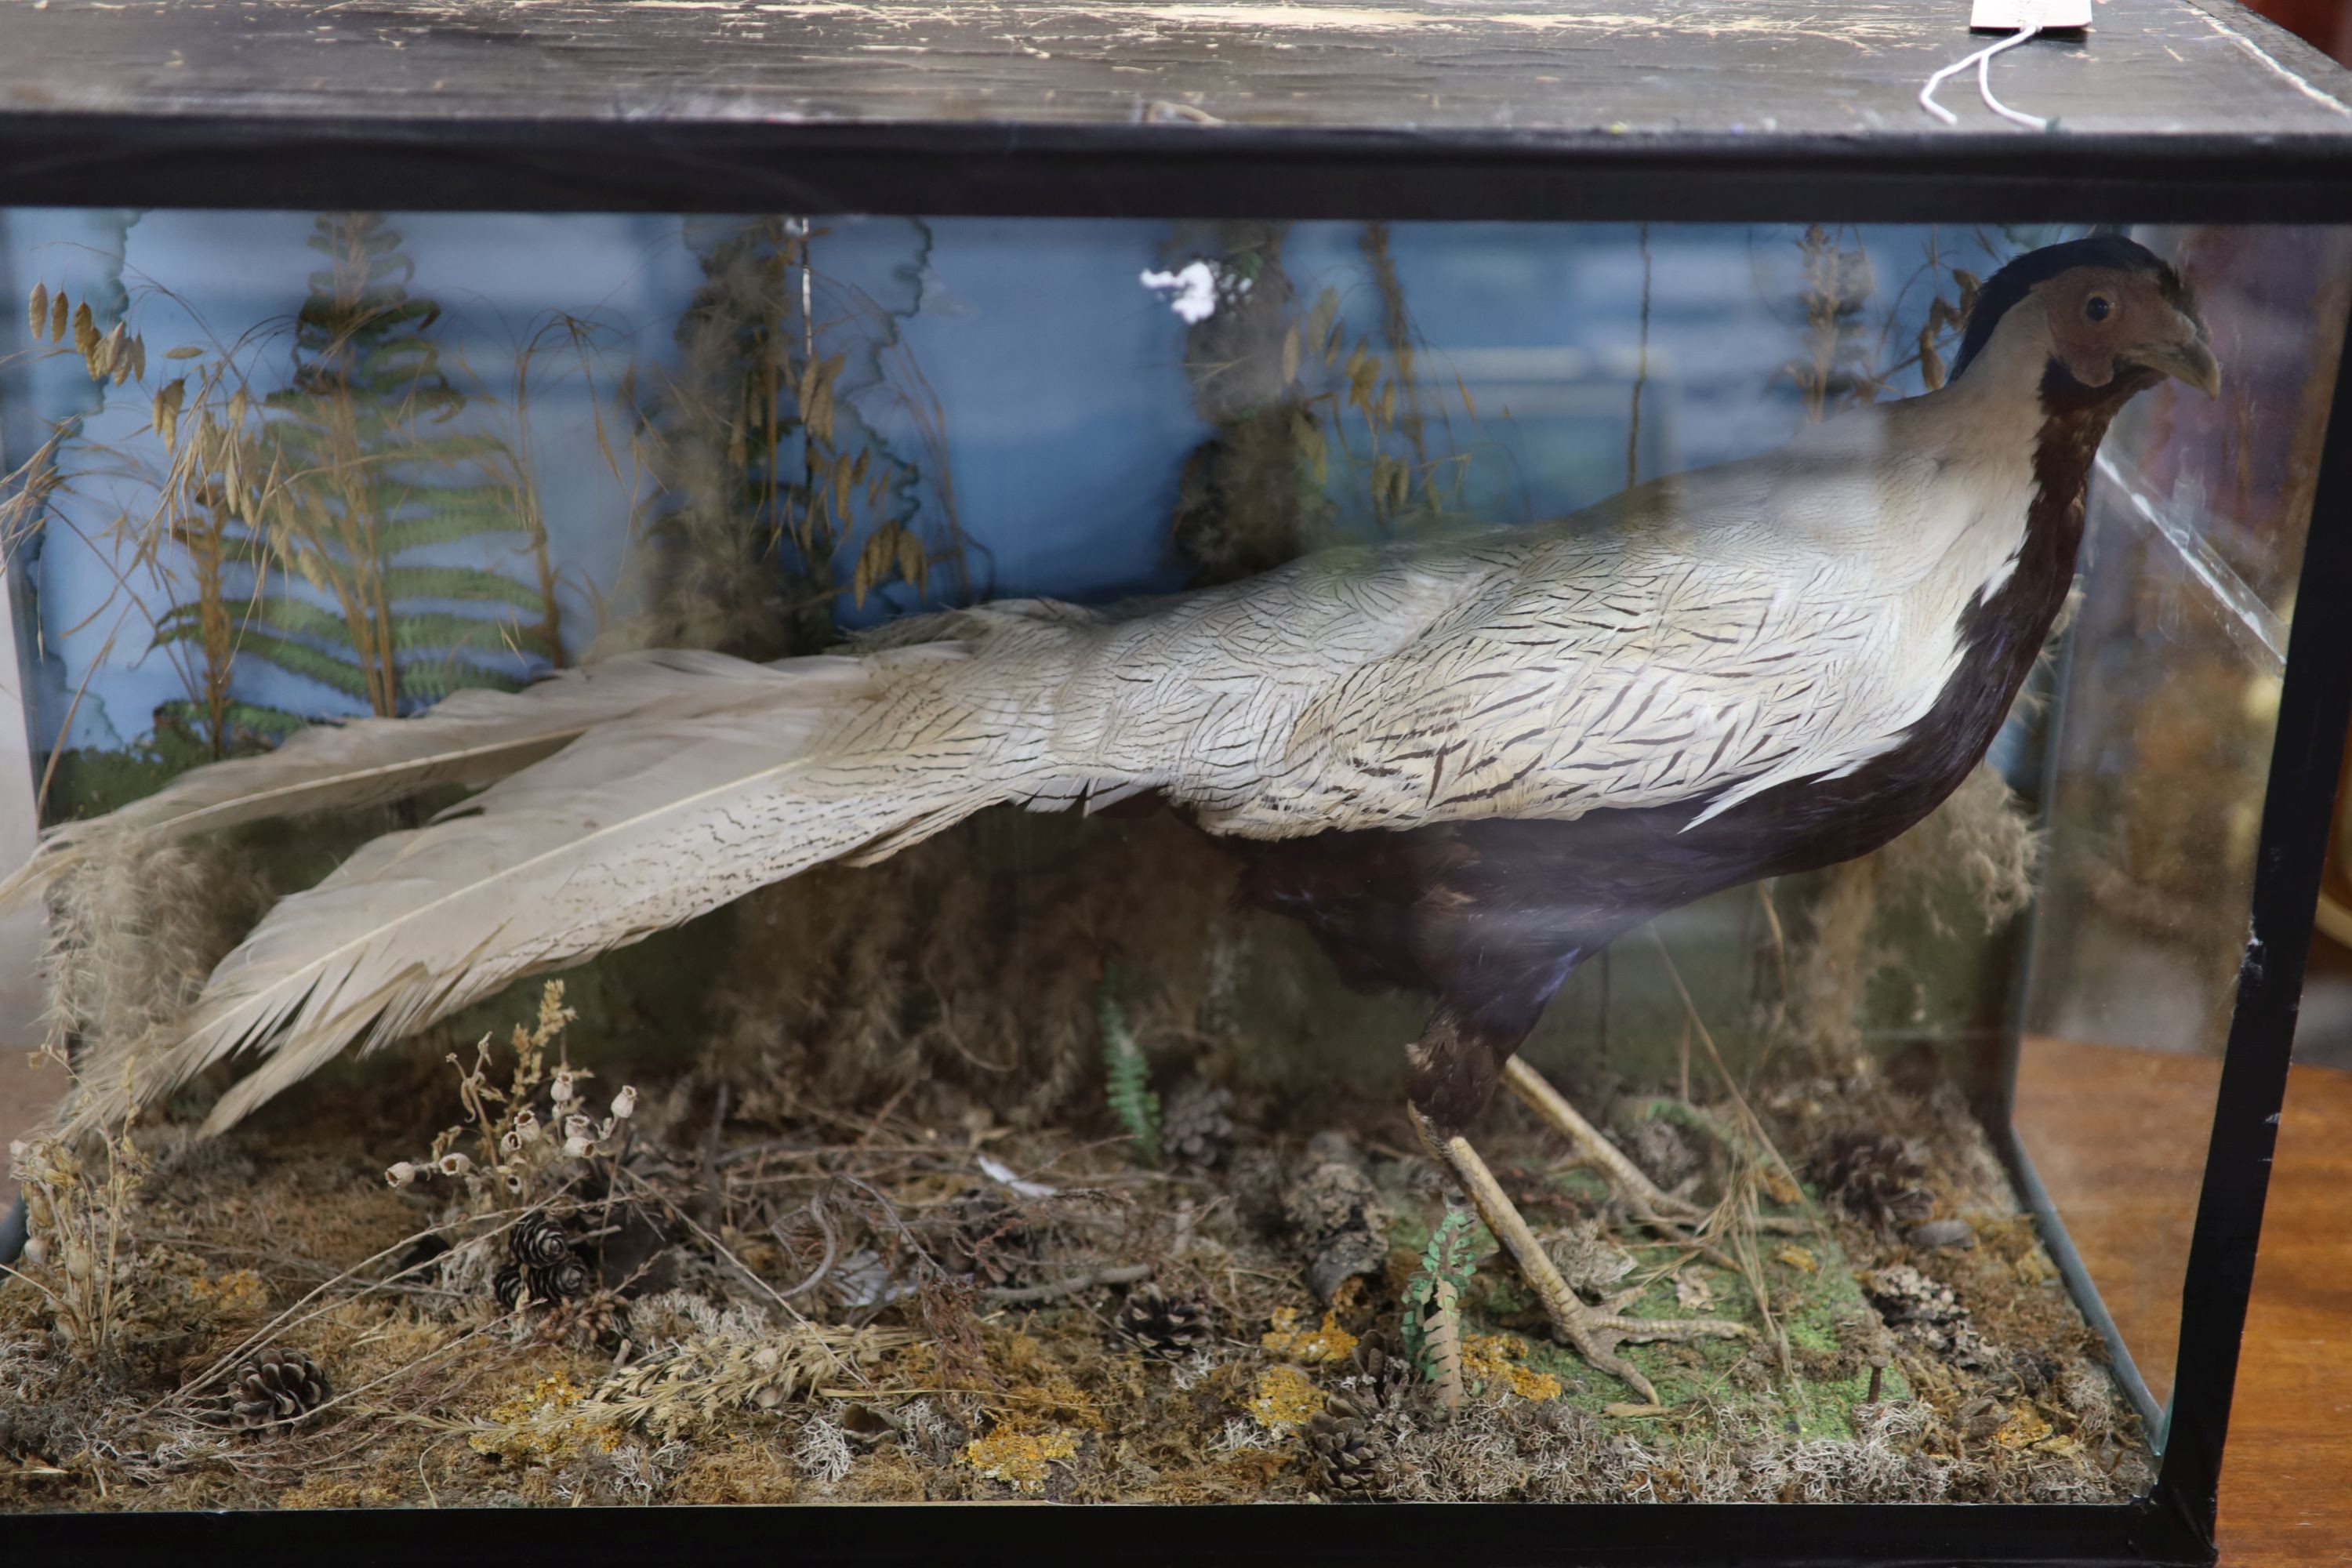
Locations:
1060 380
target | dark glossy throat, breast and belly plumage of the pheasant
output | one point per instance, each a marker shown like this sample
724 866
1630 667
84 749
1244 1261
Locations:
1492 916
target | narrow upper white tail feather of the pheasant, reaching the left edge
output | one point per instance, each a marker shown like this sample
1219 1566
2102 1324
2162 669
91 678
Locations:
472 739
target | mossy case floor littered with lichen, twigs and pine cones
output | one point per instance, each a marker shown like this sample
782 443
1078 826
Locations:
1036 1400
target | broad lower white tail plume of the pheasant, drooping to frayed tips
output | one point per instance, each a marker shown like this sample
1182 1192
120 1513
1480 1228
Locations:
636 826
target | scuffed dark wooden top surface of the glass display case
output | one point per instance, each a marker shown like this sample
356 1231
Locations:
1768 69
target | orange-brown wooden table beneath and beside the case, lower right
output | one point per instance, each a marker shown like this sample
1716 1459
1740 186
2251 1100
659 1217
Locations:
2118 1139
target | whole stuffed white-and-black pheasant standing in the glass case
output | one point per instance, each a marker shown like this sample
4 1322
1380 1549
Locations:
1466 763
